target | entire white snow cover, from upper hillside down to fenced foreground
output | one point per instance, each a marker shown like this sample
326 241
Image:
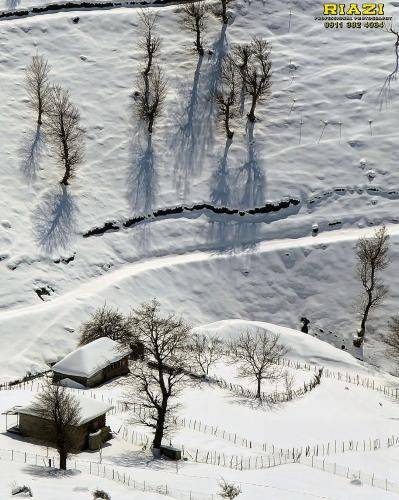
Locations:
323 150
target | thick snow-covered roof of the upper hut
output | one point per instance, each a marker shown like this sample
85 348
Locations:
91 358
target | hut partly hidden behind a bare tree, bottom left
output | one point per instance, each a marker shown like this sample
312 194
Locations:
90 432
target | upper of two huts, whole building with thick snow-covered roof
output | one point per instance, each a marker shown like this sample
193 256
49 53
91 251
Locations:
94 363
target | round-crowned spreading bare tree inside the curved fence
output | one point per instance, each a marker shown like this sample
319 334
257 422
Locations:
257 354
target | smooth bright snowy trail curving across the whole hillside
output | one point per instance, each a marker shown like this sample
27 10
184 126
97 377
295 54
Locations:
92 287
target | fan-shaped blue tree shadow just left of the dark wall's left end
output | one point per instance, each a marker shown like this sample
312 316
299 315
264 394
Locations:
55 220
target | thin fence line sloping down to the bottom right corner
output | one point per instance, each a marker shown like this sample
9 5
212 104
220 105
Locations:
356 476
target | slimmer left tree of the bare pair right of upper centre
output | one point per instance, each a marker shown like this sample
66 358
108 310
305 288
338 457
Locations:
226 94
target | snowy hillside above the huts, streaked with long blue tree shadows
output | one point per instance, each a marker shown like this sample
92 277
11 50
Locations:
313 142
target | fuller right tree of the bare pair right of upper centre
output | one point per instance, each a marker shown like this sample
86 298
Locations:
255 69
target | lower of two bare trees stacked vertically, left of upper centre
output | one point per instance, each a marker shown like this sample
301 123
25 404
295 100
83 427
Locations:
151 97
